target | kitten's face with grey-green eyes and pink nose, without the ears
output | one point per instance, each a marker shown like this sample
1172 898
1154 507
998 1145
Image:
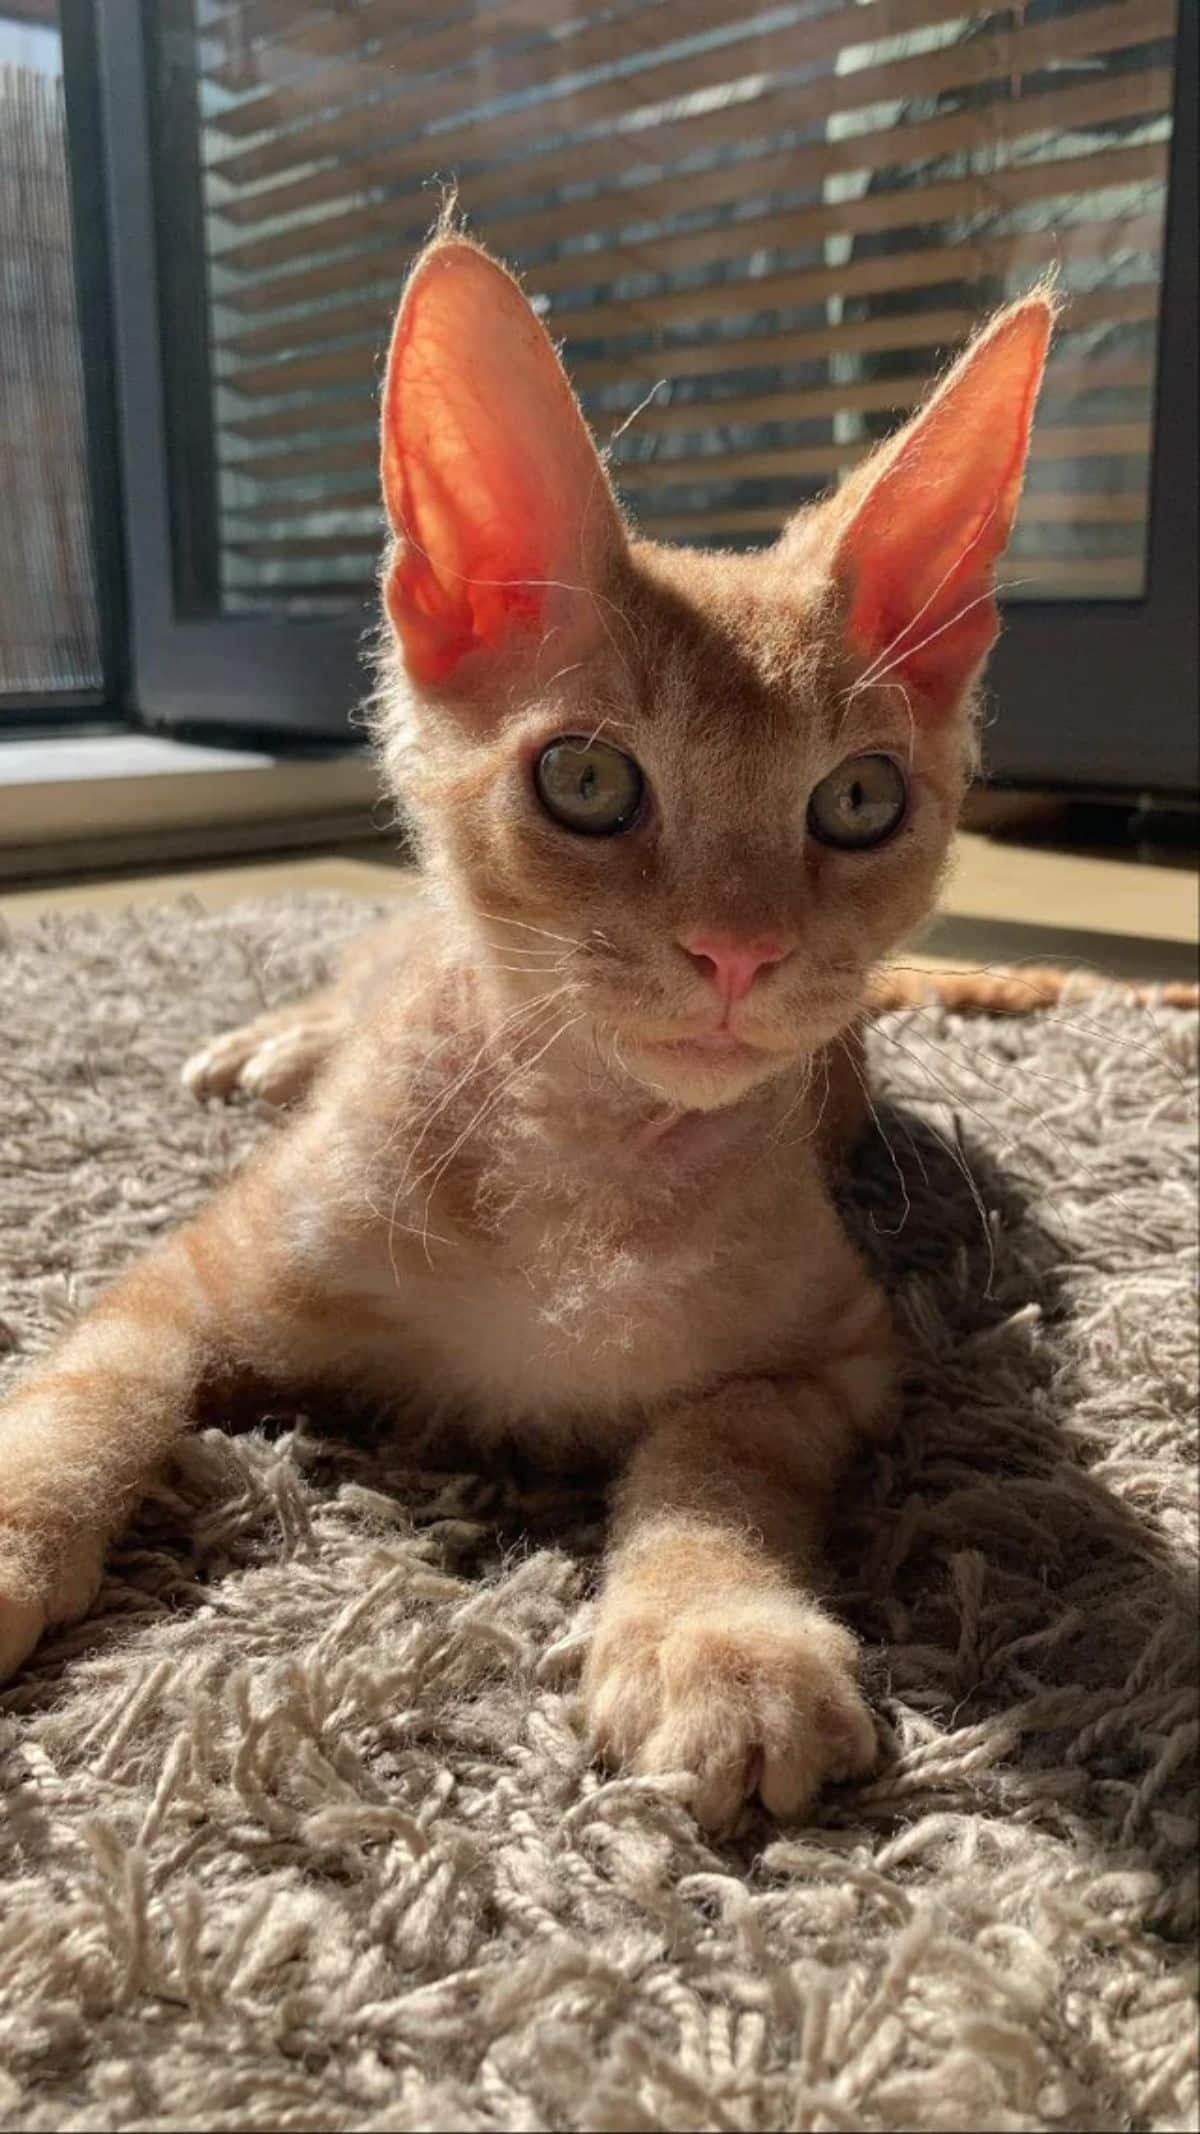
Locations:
701 838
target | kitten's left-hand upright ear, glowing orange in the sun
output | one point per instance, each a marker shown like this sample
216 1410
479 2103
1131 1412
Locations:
503 515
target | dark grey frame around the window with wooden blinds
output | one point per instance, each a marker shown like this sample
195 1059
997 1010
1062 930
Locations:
1092 697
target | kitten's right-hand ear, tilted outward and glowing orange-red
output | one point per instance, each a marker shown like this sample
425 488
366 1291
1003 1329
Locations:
932 513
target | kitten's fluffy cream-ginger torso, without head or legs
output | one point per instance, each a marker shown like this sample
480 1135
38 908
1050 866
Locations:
550 1254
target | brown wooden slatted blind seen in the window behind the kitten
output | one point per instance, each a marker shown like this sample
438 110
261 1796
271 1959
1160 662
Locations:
776 225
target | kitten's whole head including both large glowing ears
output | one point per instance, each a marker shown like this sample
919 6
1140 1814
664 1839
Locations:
701 793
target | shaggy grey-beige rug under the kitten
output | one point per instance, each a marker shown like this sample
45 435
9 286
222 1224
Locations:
300 1832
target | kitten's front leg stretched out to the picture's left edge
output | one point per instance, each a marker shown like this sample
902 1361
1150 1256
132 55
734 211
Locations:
86 1429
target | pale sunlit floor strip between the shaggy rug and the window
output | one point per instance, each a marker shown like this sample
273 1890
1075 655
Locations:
1005 904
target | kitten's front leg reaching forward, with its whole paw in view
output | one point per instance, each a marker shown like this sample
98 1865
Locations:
712 1653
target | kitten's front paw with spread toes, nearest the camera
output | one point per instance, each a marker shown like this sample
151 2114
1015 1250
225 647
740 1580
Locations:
751 1693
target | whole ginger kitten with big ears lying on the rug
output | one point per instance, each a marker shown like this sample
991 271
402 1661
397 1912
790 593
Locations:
563 1170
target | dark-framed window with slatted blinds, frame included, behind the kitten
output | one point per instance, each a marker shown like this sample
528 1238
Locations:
757 232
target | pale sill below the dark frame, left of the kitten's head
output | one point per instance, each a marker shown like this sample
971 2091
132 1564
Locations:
93 801
